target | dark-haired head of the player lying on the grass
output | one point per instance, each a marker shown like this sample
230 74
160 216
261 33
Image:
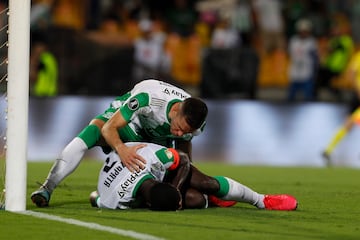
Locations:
164 197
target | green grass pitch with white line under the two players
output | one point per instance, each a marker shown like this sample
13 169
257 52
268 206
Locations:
329 208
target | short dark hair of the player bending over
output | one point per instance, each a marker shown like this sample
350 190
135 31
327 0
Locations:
195 112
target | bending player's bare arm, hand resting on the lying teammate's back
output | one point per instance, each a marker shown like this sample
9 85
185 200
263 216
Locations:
128 155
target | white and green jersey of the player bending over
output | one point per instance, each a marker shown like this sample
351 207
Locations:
146 108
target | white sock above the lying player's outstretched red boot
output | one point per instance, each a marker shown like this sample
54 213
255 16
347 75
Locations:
240 193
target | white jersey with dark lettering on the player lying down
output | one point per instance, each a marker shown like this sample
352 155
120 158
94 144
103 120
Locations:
117 186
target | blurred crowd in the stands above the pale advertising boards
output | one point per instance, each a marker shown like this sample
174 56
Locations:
217 48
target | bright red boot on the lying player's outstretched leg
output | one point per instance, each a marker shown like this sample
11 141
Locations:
280 202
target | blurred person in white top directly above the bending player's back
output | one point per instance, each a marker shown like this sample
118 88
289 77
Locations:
151 60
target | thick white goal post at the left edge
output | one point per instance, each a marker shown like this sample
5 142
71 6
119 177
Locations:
17 105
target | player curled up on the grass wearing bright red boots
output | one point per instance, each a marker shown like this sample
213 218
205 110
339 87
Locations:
118 188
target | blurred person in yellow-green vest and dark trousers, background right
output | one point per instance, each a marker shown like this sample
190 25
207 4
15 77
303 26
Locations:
339 52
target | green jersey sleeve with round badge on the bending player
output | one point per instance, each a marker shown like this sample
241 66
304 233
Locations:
136 103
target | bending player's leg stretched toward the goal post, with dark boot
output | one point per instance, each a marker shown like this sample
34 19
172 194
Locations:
68 161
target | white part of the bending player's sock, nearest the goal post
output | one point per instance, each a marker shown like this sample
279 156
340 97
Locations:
67 162
